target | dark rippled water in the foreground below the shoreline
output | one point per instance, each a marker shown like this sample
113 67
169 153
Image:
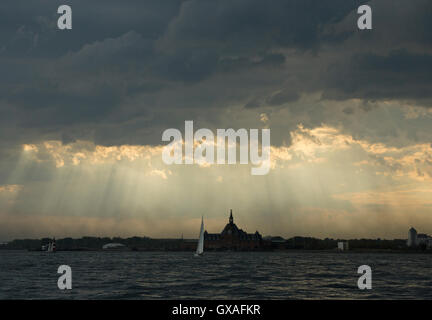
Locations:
226 275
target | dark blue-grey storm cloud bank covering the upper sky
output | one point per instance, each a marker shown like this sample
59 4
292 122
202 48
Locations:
134 68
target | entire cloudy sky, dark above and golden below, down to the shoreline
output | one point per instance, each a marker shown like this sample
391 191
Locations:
82 114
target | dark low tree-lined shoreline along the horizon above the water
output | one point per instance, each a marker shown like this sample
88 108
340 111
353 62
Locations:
274 244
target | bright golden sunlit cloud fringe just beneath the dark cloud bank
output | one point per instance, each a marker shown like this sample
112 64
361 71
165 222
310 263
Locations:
308 146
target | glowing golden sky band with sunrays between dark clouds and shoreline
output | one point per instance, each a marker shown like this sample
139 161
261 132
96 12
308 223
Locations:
324 183
